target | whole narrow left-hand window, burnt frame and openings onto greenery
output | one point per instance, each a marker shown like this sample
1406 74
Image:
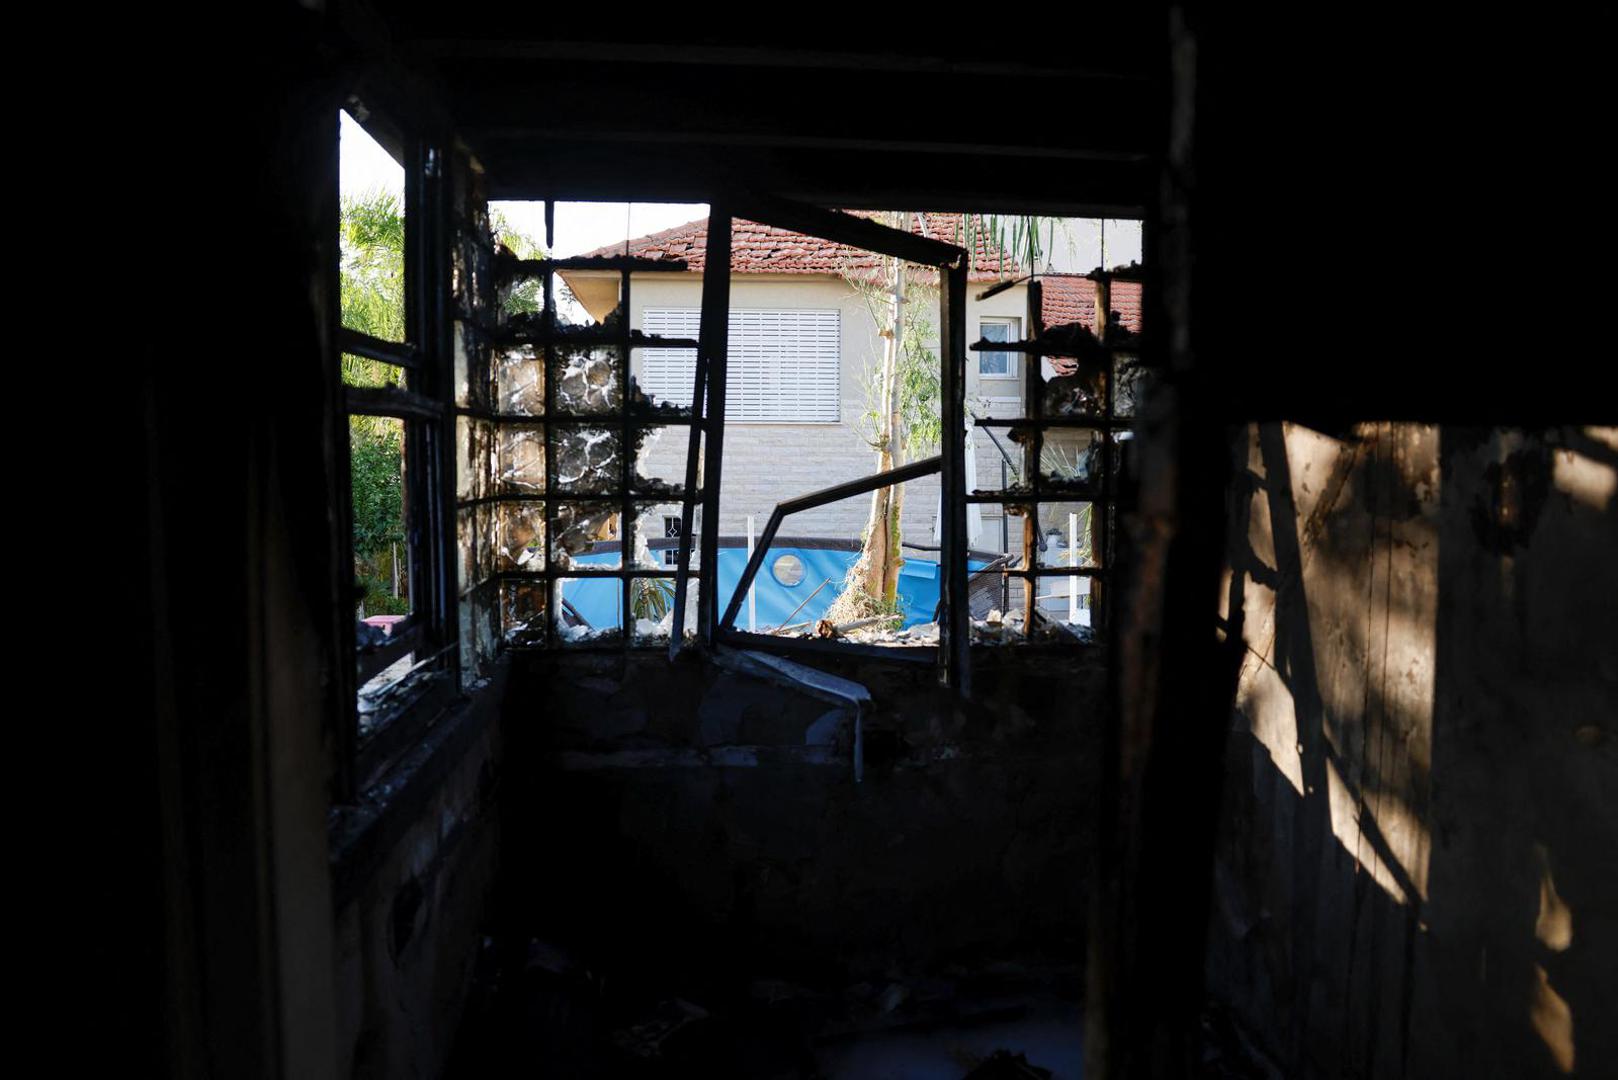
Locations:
394 428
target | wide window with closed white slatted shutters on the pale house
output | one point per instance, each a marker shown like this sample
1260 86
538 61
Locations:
786 365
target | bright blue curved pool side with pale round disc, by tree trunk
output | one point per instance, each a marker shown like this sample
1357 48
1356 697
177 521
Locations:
789 576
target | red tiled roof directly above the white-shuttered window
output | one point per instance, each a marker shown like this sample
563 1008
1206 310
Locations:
768 250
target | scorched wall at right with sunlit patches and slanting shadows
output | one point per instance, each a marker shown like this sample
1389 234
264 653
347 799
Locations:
1417 867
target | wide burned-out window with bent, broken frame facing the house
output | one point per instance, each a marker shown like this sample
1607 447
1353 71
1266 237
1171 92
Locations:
601 425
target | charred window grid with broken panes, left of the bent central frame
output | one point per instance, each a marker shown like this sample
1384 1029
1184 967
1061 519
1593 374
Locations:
549 428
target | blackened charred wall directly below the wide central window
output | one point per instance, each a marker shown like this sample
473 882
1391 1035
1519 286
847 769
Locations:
687 817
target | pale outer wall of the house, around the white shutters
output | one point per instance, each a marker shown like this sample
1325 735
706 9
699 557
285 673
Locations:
769 462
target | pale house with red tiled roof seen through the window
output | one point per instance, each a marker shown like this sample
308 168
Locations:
803 344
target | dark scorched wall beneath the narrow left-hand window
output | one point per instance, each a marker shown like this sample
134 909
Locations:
412 921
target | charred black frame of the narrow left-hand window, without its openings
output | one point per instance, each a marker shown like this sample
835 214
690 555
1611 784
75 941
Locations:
400 681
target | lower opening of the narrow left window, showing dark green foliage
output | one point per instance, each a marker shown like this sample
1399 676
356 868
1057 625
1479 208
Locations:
381 514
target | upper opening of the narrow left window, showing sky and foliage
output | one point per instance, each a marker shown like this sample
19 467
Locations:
371 234
